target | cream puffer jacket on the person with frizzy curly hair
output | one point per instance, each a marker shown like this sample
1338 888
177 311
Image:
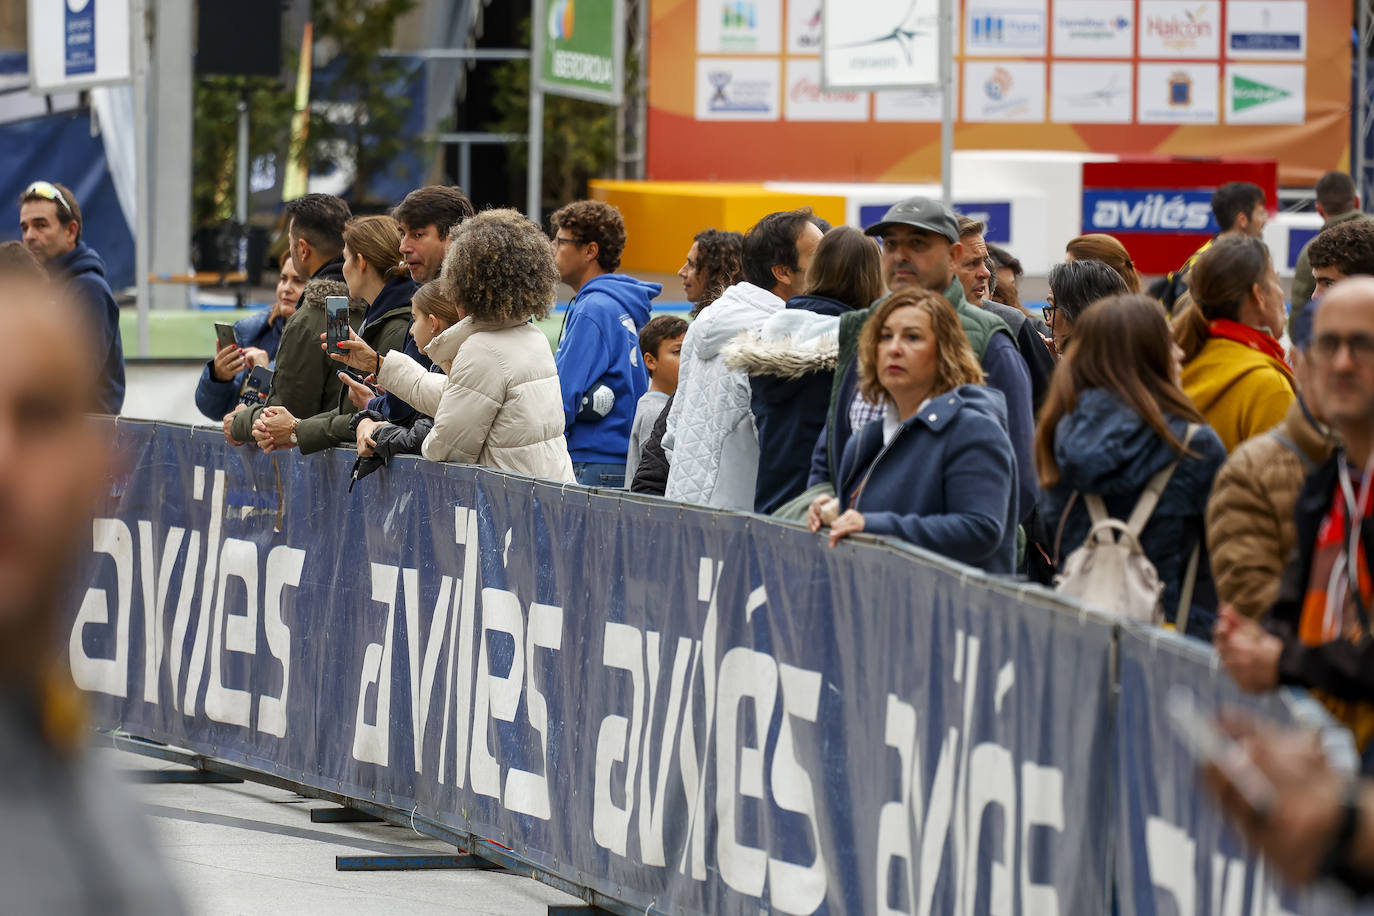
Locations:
501 404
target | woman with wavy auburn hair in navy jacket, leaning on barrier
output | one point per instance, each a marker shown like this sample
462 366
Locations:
938 470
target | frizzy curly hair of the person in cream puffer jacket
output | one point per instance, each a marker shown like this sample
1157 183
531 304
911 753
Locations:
499 267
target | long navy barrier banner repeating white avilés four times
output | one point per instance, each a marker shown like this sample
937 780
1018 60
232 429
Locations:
685 711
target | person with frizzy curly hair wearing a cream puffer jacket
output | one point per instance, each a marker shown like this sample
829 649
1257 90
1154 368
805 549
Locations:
501 404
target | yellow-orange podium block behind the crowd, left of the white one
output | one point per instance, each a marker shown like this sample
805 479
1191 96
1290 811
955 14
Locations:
662 218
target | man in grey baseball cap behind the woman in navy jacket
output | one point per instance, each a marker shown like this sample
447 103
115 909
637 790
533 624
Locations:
921 248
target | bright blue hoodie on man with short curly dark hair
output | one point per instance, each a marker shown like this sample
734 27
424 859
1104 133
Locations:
601 345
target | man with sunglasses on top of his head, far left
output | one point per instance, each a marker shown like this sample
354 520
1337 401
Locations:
50 223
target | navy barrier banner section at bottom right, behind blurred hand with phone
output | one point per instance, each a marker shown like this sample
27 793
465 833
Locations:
1175 852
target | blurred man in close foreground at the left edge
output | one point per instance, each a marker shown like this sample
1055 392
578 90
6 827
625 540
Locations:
72 843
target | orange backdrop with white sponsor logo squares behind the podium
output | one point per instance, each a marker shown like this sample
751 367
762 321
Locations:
736 89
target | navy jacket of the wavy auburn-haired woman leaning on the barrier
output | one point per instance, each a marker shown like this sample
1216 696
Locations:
945 483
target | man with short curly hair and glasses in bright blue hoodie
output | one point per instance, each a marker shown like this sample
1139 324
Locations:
598 352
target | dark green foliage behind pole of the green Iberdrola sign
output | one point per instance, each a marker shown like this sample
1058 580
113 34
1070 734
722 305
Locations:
579 137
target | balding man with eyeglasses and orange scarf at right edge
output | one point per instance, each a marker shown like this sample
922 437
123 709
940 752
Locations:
1318 635
